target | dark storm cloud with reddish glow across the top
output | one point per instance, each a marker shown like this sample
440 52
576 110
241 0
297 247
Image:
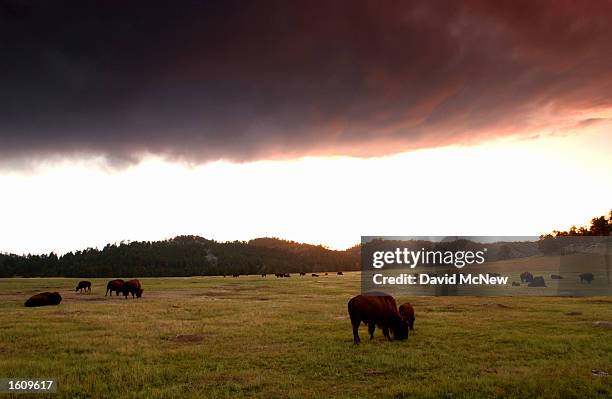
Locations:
200 81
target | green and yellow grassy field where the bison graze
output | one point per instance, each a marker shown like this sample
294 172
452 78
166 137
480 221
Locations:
291 338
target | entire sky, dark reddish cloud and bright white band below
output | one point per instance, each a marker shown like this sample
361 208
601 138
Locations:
313 121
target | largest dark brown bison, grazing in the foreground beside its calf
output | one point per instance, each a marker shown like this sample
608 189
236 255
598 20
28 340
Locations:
377 310
